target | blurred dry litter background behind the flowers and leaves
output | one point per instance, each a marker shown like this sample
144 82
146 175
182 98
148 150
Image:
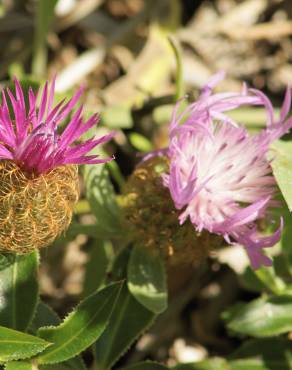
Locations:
124 52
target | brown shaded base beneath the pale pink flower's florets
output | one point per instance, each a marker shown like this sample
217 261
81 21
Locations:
152 220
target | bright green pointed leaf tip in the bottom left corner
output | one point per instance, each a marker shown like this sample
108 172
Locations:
15 345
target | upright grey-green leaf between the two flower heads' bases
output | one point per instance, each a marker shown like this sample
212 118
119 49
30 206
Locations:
101 196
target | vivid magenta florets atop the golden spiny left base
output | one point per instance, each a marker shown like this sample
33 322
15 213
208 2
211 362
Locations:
30 138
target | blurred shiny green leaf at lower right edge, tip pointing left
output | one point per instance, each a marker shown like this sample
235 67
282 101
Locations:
262 317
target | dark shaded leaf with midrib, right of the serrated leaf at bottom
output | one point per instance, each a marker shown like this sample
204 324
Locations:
128 321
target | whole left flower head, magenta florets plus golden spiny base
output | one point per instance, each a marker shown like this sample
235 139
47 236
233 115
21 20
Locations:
38 166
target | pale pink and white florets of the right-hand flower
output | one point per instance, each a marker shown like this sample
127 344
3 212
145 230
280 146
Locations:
219 174
